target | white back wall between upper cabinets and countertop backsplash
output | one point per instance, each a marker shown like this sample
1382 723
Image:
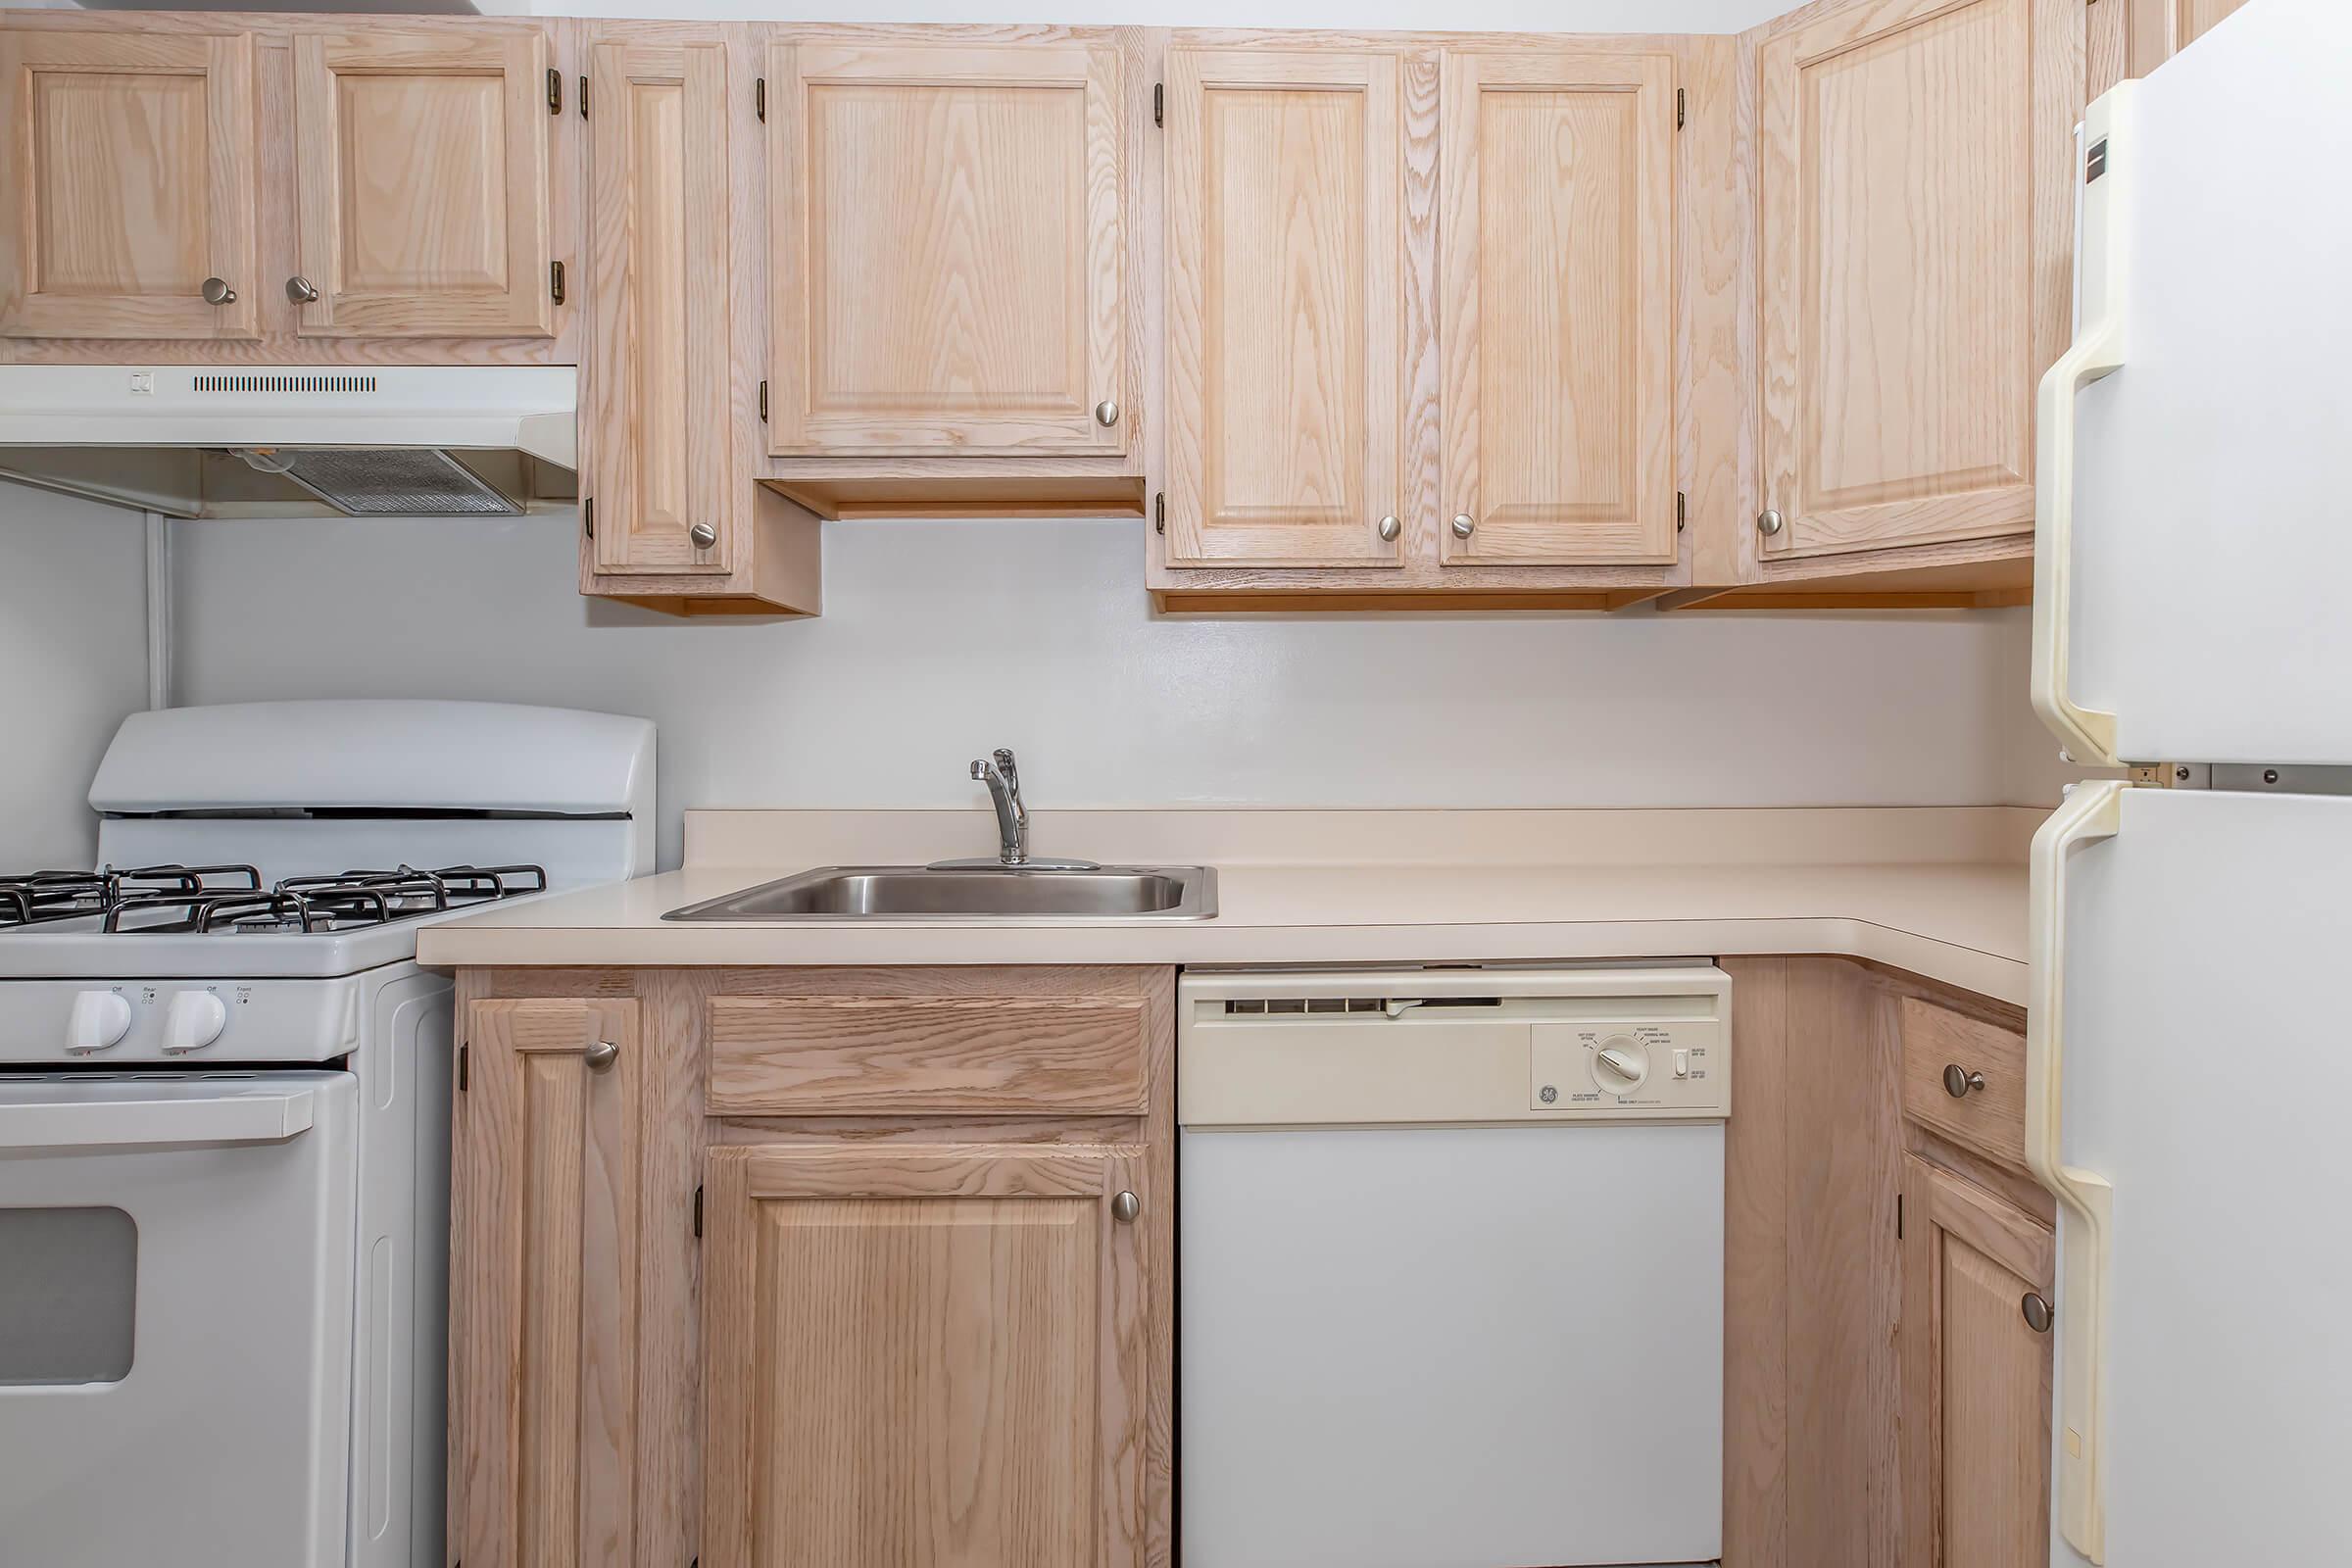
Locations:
947 638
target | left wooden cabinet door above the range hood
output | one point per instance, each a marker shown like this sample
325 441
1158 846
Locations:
131 194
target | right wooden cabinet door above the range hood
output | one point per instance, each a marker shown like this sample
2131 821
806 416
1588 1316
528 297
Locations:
422 185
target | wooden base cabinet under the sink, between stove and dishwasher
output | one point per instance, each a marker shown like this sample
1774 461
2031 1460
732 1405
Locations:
864 1268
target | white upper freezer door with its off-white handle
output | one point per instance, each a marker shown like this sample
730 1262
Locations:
2196 504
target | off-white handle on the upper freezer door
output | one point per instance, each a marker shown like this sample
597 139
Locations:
2099 349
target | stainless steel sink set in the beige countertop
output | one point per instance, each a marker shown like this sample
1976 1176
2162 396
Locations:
970 892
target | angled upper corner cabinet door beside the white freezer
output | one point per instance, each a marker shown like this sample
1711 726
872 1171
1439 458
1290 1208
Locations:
1916 187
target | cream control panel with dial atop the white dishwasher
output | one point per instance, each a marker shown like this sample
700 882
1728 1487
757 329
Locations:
1455 1047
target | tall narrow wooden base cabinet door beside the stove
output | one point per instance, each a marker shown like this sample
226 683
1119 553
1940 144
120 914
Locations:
544 1285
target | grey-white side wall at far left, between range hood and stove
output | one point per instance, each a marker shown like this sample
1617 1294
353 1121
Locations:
72 664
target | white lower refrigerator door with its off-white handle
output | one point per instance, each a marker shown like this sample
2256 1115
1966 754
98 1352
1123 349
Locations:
2189 1085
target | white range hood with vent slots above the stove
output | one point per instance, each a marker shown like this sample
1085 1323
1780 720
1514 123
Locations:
389 441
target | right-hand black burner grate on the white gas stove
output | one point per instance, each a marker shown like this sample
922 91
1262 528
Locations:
321 904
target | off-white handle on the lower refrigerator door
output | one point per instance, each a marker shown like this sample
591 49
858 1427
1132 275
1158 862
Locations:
2090 815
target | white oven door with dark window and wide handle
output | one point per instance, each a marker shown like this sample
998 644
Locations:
175 1318
